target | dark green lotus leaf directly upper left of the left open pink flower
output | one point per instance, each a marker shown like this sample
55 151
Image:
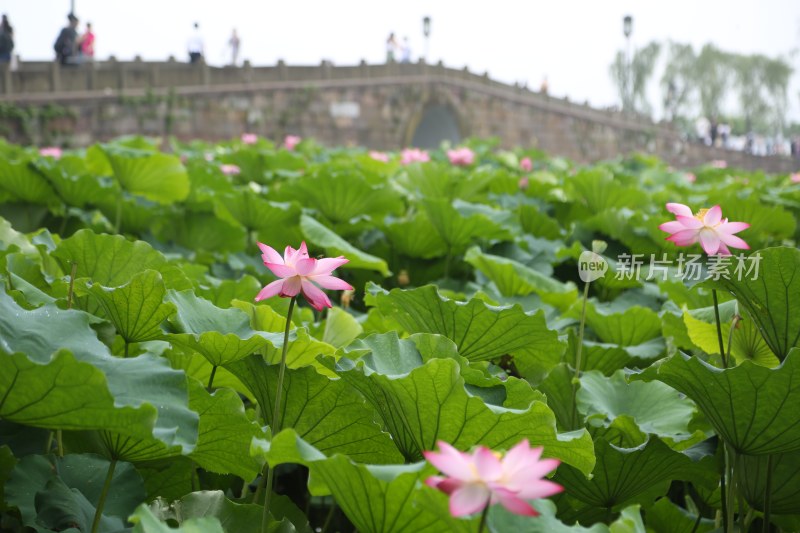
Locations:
204 231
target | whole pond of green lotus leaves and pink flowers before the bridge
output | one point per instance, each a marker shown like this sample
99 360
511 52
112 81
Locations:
522 348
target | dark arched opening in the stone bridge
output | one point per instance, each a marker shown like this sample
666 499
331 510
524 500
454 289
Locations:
435 120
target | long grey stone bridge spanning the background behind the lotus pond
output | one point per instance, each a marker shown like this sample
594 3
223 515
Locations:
378 106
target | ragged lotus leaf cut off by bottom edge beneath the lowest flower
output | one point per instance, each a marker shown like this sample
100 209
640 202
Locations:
501 520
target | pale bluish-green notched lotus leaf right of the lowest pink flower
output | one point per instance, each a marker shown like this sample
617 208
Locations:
654 407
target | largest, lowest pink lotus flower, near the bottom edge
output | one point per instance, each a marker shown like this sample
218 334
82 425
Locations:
482 478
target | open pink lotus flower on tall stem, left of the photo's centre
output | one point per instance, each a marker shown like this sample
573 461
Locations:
300 273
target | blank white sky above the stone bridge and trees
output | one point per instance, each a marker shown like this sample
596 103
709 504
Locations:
572 42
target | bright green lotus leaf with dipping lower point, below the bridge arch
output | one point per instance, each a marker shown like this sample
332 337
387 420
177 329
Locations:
457 230
